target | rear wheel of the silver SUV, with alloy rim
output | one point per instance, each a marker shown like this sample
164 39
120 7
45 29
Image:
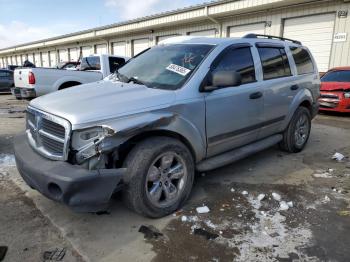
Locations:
297 134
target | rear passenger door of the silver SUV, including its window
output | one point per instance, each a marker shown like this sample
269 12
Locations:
278 86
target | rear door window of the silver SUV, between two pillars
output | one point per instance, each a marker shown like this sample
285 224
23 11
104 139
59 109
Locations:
275 62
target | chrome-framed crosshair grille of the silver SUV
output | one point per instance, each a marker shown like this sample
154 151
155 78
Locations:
48 134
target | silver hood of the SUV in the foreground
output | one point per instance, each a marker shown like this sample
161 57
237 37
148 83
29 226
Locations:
102 100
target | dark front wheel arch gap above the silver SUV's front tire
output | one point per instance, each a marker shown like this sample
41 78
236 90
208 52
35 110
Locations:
118 156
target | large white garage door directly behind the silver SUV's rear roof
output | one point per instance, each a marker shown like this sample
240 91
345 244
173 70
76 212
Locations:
315 32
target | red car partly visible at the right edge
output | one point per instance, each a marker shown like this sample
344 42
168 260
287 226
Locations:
335 90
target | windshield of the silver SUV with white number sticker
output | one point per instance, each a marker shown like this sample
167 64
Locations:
164 67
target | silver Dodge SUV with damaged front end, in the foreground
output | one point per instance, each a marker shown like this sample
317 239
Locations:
190 104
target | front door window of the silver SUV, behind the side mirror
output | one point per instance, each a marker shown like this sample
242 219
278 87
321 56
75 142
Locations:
241 61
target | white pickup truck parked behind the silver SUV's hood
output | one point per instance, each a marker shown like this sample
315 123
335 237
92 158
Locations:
34 82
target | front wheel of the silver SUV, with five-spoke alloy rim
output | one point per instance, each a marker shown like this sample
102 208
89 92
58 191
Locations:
159 178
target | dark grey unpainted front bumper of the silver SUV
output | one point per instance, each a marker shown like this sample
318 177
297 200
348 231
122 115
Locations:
81 189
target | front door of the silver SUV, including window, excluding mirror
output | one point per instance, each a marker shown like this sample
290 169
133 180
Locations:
234 114
